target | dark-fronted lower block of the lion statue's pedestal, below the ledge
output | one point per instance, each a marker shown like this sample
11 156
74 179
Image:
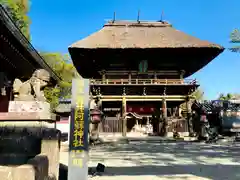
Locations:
23 146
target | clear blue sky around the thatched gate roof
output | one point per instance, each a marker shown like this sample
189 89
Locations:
56 24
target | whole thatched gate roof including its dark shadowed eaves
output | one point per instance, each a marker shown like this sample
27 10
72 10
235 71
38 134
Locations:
123 44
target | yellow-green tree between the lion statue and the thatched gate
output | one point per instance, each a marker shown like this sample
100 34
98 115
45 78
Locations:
59 64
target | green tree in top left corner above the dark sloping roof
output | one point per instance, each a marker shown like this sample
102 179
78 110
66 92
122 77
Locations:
18 11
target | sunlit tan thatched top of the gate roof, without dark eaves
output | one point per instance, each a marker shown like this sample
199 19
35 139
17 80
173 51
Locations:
125 34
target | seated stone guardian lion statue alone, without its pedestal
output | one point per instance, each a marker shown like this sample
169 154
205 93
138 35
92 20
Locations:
32 89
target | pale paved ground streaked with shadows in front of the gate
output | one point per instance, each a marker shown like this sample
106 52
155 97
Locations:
151 160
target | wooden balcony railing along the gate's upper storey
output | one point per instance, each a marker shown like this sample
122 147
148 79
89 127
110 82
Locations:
144 81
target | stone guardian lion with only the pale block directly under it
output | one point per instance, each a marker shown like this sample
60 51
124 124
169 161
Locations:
29 96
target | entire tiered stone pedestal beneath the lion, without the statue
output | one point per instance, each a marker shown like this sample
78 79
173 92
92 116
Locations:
29 143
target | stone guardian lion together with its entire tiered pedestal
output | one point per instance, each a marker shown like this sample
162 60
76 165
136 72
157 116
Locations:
27 133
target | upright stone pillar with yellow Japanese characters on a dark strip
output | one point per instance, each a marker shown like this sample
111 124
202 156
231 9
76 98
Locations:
78 135
